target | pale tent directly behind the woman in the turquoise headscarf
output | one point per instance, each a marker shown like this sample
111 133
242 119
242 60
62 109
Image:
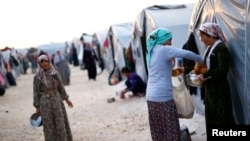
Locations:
174 17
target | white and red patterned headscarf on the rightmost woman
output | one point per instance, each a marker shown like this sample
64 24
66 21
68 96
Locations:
212 29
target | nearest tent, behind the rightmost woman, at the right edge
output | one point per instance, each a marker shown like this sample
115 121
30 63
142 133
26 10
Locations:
233 17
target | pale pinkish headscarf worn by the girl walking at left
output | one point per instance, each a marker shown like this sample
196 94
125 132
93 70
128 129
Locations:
42 72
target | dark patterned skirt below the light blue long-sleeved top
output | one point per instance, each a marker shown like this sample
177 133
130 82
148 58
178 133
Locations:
163 121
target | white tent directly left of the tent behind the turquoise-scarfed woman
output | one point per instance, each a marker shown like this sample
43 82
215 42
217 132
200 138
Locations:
119 37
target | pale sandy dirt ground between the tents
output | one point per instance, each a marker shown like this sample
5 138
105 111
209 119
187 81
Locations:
92 118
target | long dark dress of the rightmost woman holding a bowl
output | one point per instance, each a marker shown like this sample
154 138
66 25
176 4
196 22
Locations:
218 103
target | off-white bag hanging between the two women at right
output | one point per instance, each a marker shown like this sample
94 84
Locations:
182 98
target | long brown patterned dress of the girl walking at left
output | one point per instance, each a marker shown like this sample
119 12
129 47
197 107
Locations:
49 99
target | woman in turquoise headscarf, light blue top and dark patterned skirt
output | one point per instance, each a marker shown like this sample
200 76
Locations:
163 117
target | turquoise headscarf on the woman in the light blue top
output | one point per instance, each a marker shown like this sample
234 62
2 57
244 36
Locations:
158 36
